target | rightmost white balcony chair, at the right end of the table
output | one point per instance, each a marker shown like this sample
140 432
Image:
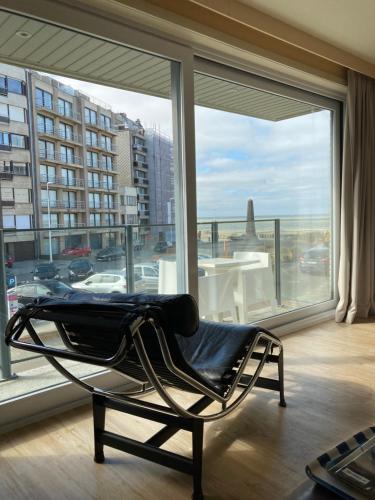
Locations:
255 290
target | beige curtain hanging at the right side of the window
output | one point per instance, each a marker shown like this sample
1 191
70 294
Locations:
356 282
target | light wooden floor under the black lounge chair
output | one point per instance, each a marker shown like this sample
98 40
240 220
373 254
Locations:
257 452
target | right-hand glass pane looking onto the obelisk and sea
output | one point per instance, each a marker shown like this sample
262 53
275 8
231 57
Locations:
268 159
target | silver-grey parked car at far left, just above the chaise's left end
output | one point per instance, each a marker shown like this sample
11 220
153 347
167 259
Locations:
27 292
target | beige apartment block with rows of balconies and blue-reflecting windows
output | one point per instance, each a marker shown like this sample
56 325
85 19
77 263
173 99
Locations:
75 165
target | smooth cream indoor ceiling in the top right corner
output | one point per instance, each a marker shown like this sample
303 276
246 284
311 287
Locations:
346 24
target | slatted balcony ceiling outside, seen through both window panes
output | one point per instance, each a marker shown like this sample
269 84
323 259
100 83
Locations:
61 51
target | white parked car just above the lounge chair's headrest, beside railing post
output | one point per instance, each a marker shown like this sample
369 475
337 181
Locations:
108 282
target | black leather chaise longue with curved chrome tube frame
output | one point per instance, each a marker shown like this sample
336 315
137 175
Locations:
159 342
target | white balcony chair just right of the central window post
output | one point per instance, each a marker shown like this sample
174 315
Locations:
216 296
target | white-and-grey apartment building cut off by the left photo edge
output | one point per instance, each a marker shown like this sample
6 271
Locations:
15 163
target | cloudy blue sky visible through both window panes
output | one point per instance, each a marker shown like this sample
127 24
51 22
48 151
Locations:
284 166
